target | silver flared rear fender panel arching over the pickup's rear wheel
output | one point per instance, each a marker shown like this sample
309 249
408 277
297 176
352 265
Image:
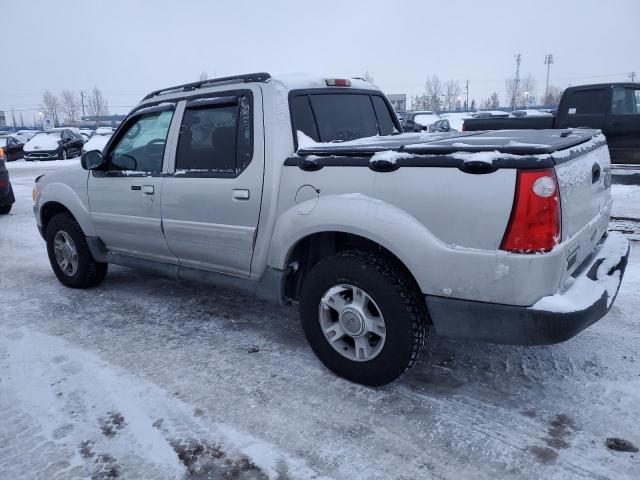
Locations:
439 269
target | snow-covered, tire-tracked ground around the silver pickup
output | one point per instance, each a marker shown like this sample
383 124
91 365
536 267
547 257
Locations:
148 378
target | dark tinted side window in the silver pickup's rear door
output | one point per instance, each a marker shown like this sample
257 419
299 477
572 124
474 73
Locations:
215 140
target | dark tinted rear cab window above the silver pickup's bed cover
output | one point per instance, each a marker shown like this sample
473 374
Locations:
339 117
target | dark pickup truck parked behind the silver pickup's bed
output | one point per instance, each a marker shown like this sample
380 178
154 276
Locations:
613 108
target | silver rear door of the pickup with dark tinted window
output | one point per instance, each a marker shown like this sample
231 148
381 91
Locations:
212 195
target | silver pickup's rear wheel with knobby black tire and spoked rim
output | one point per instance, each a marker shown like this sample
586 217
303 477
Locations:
391 293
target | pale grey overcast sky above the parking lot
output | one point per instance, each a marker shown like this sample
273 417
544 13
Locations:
129 47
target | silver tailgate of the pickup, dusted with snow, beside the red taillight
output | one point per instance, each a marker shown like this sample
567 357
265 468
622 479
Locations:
584 179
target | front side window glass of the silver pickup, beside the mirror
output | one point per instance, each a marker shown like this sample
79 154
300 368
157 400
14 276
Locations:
141 147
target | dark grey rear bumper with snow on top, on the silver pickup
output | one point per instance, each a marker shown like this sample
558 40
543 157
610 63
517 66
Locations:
552 319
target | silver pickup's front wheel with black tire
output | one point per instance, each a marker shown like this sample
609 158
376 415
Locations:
88 273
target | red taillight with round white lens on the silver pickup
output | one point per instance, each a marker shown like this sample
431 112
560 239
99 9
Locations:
534 225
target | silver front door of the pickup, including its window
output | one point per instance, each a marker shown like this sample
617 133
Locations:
124 197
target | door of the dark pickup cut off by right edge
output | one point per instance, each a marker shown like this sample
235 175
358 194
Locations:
623 128
